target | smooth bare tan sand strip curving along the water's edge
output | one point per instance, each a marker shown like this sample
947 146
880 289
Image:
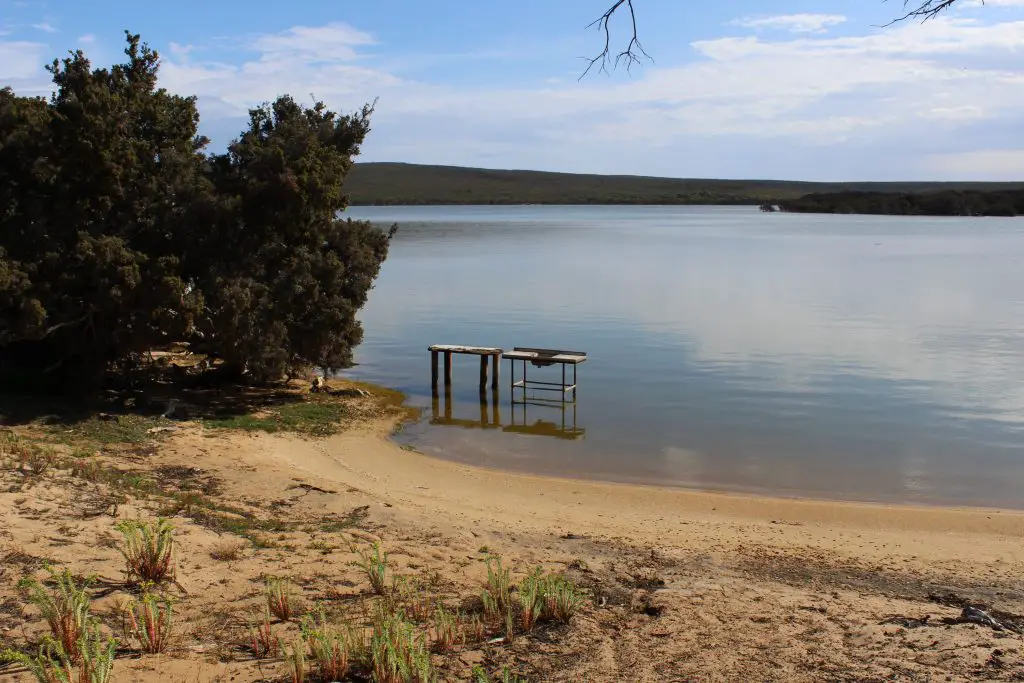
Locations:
467 495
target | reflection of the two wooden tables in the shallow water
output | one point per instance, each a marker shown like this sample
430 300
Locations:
521 411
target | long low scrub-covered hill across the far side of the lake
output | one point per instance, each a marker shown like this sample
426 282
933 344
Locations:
389 184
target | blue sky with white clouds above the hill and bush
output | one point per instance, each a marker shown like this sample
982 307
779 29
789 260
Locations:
792 90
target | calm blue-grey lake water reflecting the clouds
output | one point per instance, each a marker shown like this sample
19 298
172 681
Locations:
834 357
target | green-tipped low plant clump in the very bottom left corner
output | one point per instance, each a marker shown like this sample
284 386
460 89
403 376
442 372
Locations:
93 653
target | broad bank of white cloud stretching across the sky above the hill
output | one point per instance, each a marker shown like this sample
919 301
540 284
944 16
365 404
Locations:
884 105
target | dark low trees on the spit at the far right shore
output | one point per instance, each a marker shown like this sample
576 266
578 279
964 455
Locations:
947 203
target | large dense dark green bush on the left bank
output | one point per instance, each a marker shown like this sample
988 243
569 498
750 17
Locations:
119 234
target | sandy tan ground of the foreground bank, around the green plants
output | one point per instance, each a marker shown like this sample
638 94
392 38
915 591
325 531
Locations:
684 586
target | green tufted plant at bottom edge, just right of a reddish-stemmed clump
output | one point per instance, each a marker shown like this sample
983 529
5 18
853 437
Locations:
398 653
